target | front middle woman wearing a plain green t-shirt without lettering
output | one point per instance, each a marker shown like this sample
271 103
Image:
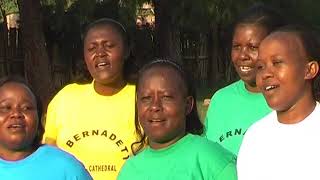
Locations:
169 127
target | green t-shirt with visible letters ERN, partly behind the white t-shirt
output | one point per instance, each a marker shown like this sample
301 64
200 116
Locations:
231 111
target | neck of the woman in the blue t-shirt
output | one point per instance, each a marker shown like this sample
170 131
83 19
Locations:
14 155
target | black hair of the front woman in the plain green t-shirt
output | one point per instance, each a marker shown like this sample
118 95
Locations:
193 122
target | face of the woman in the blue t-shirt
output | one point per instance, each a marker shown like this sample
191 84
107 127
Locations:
18 117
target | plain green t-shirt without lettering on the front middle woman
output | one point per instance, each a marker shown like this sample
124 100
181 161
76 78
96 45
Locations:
191 158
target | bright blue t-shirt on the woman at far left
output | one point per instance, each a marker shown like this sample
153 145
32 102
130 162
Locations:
46 163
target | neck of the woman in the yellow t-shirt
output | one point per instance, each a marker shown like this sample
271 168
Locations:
109 89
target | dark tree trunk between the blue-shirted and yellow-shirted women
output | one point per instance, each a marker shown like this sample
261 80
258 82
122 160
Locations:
36 62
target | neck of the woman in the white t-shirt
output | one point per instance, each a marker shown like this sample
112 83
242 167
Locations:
298 112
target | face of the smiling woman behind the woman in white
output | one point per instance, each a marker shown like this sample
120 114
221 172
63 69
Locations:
244 53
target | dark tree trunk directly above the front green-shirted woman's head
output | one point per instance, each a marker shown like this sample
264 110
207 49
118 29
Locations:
166 32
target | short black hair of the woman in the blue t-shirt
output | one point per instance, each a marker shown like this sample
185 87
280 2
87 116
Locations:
40 130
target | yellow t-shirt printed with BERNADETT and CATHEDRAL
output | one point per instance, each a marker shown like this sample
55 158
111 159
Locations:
98 130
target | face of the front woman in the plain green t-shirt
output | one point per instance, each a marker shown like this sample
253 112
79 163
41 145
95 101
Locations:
162 106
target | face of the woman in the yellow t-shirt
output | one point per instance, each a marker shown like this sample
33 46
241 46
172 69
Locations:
104 54
